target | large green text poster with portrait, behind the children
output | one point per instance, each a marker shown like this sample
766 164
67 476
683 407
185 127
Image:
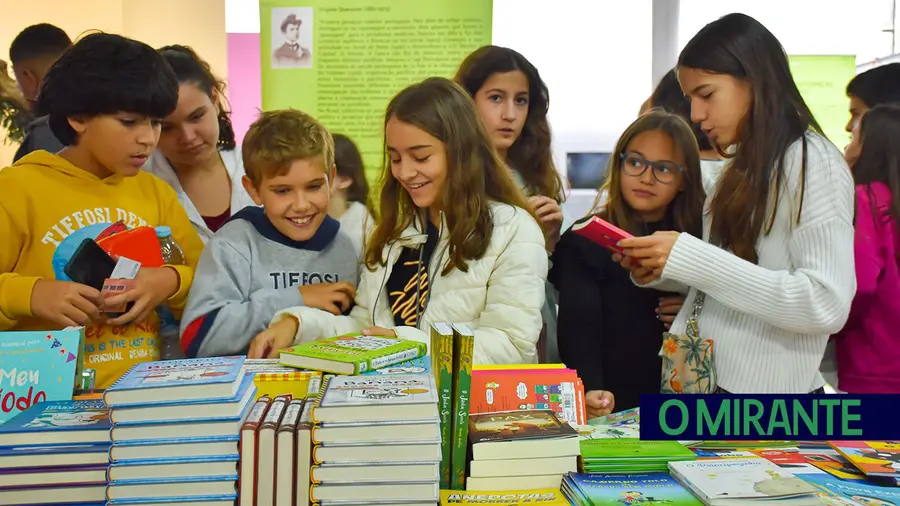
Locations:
342 62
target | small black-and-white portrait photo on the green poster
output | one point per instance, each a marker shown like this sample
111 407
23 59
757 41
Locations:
292 36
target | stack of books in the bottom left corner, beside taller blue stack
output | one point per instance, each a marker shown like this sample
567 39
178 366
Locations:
55 452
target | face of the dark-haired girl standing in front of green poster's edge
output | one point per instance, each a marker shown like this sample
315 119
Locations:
502 103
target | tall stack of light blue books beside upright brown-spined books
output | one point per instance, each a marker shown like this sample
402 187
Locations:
175 427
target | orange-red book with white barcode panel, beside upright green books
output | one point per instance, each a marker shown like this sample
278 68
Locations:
559 390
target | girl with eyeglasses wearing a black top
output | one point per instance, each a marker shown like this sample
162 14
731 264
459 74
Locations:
609 330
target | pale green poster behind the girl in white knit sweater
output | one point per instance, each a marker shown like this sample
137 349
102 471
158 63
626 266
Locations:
822 81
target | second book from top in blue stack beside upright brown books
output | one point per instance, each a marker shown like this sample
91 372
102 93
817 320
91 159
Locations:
187 411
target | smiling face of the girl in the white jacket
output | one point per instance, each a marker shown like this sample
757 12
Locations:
418 162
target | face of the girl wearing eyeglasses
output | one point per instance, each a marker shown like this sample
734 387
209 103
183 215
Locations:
643 193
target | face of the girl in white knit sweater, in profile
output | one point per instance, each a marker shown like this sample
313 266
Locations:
719 103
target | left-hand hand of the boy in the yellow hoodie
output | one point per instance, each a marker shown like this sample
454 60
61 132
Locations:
65 303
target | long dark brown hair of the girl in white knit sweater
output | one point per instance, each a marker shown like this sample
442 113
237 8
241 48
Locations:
739 46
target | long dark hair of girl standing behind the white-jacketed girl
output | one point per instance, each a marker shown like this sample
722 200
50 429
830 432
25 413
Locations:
530 155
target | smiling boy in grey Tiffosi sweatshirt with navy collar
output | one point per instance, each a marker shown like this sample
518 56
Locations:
288 252
